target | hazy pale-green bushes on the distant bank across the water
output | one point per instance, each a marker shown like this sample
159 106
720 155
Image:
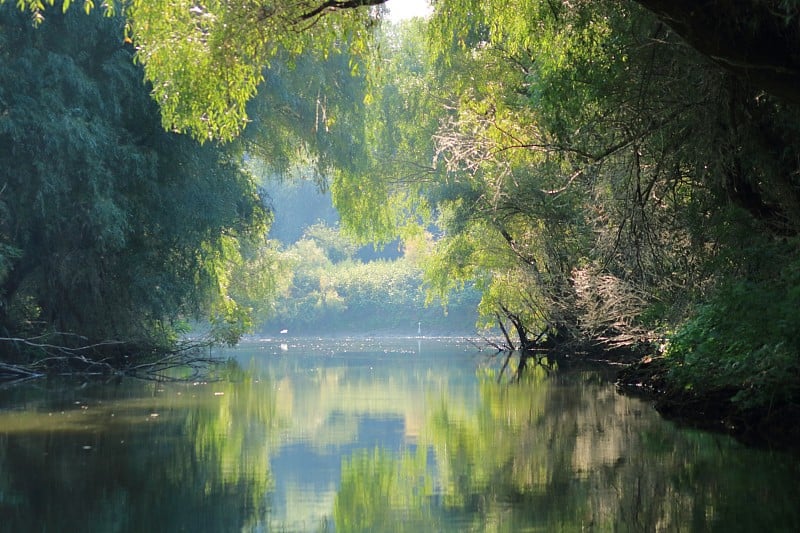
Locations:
327 290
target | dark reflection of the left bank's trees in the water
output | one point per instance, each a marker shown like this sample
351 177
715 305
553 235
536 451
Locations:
192 458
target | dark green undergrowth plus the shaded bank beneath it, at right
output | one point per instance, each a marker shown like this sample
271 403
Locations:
735 363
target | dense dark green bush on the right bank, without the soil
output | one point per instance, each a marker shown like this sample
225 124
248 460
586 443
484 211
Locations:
745 339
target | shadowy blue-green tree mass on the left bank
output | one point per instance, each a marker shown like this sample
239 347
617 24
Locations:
111 228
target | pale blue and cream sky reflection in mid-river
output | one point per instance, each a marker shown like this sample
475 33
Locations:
381 386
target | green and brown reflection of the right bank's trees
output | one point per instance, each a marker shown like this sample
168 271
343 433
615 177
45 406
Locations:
565 453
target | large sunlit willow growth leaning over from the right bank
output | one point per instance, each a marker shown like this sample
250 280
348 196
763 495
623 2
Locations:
584 161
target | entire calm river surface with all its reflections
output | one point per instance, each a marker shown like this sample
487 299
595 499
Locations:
400 435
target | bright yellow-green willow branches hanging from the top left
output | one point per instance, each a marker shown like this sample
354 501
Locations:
206 60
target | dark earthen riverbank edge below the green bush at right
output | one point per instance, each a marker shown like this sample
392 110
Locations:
774 426
